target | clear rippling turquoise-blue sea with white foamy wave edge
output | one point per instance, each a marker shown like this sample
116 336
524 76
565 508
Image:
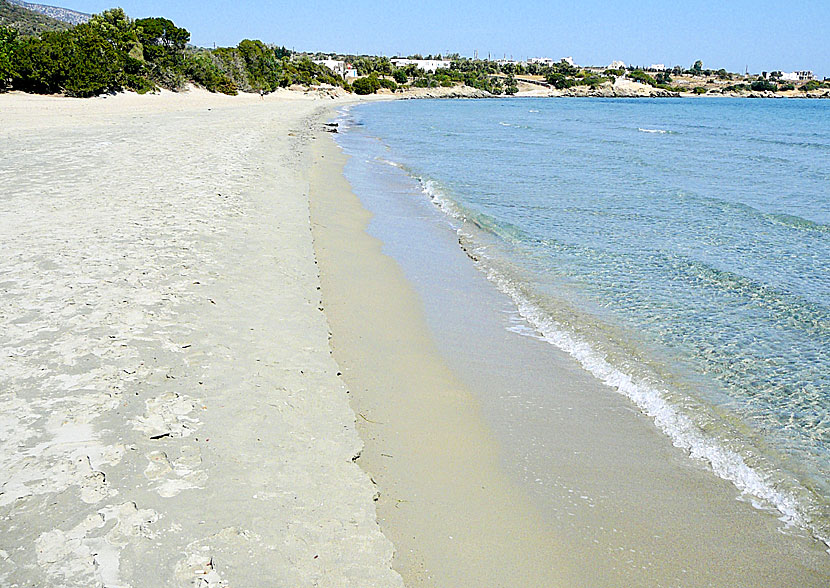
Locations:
679 249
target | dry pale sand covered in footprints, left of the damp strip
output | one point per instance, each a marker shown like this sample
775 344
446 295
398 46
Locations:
170 413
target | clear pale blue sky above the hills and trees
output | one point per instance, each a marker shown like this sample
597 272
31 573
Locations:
761 34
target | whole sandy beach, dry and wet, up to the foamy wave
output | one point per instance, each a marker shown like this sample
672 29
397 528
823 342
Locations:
215 377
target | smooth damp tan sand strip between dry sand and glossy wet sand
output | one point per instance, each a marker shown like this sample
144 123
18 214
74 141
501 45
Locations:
454 517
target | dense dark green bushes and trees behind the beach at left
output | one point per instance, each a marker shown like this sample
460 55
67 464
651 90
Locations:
112 52
